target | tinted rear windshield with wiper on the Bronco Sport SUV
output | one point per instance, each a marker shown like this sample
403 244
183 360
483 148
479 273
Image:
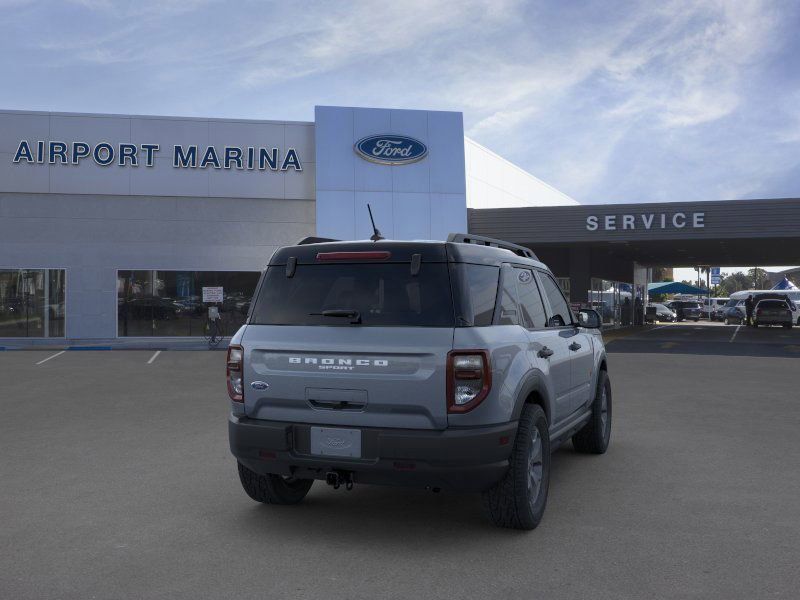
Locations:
384 295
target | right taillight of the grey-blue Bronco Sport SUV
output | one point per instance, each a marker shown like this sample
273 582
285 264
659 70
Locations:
469 379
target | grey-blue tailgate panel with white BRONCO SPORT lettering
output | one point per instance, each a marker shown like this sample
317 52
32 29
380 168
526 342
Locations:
349 376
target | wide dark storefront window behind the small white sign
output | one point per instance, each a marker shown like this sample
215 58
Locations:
170 303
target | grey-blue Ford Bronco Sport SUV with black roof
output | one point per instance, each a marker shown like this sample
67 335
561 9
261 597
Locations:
451 365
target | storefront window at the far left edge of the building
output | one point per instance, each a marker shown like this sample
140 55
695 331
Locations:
32 302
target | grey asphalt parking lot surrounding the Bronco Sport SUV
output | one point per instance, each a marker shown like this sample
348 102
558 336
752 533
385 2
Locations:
116 482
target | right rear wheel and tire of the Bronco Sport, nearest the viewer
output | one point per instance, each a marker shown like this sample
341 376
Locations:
516 501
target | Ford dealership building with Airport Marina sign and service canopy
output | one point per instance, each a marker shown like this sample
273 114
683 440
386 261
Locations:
118 226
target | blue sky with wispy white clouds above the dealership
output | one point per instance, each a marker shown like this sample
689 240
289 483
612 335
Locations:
607 101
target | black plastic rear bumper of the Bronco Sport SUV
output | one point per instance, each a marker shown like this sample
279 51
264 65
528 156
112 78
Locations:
463 459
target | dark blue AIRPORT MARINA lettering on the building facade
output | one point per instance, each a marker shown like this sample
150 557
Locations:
105 154
